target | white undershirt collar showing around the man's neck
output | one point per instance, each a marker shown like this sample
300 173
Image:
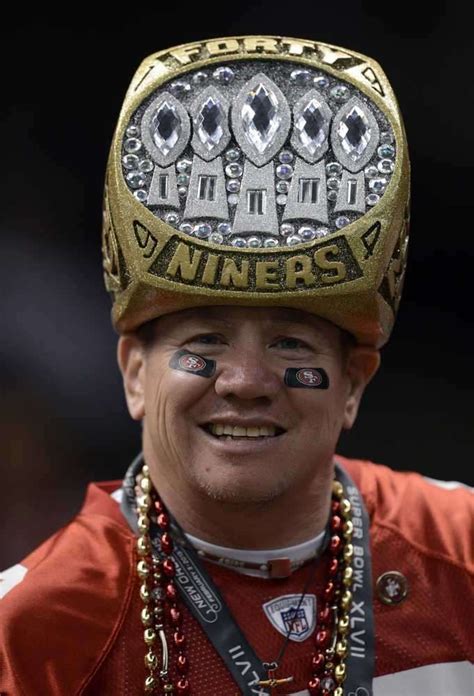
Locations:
296 554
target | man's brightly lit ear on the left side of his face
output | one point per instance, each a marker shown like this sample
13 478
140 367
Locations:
131 360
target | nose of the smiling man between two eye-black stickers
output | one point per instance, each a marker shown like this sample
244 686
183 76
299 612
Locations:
247 375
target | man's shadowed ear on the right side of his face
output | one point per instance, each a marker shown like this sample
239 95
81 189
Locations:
362 364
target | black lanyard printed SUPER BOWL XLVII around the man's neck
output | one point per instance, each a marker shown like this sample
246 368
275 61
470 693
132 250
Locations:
206 604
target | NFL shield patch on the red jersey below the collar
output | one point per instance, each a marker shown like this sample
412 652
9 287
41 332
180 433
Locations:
291 616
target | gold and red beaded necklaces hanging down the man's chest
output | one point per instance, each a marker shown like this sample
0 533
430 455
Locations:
161 615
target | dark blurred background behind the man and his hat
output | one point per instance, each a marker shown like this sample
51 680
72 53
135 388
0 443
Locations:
63 420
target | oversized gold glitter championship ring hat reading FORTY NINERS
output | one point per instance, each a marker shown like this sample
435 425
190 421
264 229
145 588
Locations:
262 171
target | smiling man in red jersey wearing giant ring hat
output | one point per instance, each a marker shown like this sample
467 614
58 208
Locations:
255 234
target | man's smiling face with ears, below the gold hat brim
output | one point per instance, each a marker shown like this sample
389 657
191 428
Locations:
241 435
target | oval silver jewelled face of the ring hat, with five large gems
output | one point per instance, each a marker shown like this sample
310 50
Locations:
258 154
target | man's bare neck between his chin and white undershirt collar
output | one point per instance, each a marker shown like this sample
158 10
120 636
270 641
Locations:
292 518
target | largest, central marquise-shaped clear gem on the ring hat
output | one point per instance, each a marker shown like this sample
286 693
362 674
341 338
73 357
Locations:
260 117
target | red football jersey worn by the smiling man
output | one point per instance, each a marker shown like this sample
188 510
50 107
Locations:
70 612
